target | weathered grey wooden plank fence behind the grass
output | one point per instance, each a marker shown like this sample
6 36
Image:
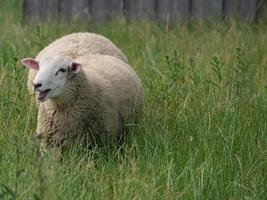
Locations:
161 10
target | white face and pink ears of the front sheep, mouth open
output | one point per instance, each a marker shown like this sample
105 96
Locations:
52 75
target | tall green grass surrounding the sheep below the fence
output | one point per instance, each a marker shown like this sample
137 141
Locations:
203 134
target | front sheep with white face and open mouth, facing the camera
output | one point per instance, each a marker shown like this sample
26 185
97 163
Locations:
91 97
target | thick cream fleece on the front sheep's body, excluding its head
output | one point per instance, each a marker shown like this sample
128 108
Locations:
95 104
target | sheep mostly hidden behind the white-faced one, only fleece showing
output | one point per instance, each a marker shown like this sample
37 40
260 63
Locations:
75 45
